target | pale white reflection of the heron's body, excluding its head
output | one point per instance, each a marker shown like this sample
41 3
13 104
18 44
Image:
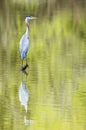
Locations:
24 95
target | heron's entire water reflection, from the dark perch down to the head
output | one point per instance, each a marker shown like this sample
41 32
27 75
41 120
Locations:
24 94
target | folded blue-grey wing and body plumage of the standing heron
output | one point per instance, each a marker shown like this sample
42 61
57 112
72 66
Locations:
24 45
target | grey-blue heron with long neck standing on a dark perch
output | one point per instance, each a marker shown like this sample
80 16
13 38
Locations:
24 41
